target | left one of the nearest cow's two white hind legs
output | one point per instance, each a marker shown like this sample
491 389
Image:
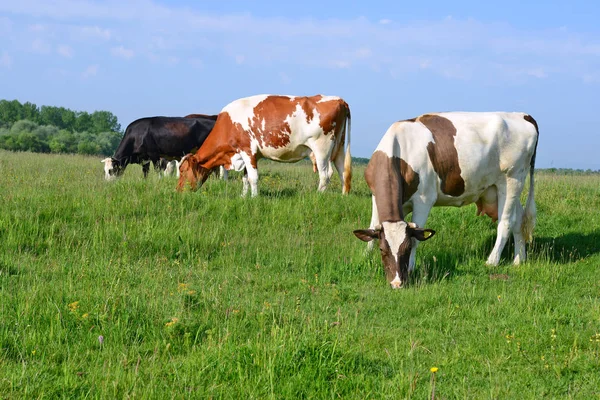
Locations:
508 198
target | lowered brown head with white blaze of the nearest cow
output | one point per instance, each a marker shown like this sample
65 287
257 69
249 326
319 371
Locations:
395 243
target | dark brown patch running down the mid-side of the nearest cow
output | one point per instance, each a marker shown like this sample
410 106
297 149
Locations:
443 154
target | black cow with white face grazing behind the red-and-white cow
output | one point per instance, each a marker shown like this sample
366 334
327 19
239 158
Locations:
149 139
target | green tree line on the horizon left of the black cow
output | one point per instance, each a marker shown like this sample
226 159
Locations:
48 129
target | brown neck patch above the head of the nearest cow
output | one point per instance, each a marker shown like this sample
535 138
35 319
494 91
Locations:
383 175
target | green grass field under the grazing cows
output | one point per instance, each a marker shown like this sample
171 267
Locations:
131 290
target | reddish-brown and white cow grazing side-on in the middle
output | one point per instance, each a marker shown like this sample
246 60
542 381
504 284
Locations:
280 128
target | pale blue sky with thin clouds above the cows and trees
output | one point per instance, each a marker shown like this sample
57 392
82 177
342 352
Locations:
389 60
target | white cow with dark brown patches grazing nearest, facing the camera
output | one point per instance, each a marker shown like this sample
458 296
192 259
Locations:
450 159
